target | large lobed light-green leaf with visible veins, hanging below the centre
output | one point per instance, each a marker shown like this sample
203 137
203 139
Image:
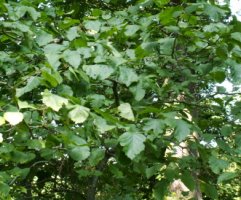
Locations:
133 143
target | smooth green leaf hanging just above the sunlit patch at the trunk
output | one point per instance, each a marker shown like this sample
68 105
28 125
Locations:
182 130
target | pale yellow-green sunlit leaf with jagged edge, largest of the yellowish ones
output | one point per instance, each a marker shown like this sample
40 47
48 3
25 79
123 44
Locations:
53 101
